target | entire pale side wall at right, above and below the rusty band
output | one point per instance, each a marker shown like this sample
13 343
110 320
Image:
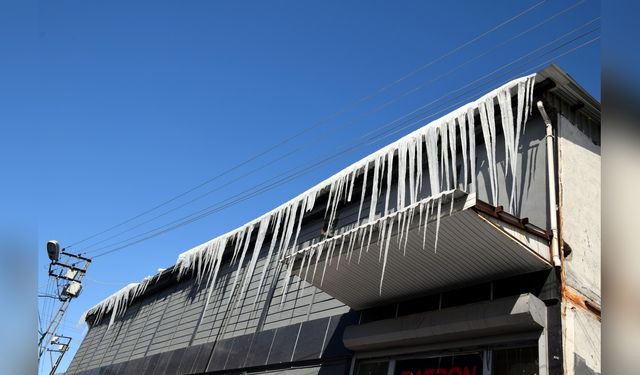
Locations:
580 196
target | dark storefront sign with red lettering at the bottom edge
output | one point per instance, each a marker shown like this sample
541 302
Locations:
469 364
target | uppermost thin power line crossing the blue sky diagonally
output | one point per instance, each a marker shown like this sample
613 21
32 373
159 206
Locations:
341 111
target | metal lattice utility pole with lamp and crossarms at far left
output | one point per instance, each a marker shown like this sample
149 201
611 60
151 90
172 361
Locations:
67 270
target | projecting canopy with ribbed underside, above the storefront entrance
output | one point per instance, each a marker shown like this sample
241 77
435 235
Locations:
472 247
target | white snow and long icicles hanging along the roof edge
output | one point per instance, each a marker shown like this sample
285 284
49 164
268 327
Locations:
437 141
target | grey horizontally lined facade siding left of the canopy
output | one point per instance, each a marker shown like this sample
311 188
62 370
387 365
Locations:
169 320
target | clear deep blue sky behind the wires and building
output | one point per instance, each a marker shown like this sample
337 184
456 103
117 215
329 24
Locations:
131 103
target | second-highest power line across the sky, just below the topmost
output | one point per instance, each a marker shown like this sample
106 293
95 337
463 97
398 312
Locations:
332 130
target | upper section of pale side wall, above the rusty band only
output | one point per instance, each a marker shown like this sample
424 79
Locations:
580 194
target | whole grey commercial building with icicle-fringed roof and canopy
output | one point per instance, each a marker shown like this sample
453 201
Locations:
466 247
